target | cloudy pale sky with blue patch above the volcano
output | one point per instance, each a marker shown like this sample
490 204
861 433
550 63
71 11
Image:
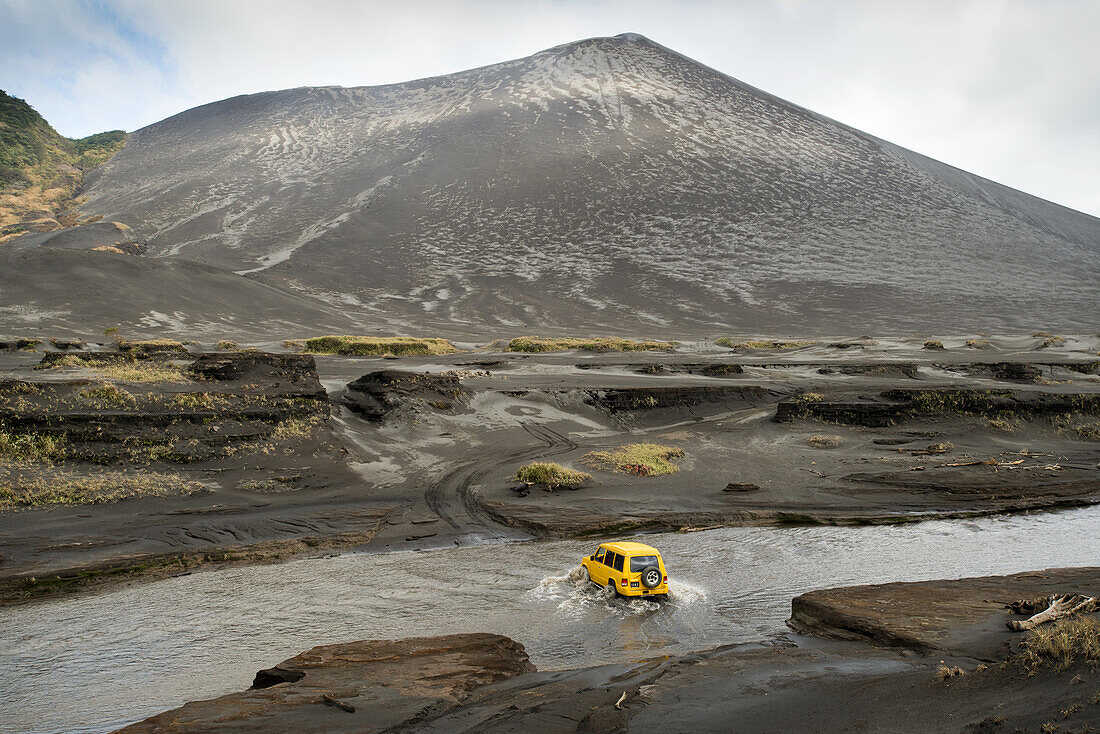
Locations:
1009 90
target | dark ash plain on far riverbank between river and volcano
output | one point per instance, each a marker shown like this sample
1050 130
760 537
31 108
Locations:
422 453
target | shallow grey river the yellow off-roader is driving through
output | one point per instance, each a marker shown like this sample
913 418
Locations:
96 663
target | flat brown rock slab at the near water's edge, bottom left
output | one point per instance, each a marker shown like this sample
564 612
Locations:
383 684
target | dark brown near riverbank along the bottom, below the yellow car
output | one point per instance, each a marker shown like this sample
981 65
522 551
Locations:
487 683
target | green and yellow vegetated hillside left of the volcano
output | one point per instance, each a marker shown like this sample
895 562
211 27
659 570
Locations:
41 171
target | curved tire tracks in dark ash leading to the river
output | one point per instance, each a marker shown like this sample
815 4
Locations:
454 490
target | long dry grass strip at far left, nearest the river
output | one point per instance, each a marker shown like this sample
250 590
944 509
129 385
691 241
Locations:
64 489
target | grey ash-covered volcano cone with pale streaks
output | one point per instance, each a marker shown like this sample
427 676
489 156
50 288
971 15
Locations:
609 183
